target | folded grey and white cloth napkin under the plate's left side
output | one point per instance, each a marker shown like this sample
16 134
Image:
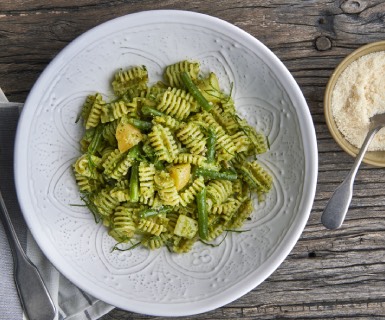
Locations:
71 302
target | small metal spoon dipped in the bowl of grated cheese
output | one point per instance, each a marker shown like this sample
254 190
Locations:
336 208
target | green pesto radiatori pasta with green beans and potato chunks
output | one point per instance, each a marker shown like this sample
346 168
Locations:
168 164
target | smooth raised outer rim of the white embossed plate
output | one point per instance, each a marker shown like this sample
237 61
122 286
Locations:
310 171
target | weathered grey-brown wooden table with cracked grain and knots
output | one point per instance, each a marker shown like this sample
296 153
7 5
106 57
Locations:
329 274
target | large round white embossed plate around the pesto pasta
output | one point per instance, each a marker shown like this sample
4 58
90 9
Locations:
160 283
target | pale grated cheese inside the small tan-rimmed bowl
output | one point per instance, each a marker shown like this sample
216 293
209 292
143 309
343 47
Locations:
358 95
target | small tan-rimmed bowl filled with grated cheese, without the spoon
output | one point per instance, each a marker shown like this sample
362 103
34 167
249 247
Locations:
356 92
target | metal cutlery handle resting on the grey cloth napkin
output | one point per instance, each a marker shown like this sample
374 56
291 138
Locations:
35 299
